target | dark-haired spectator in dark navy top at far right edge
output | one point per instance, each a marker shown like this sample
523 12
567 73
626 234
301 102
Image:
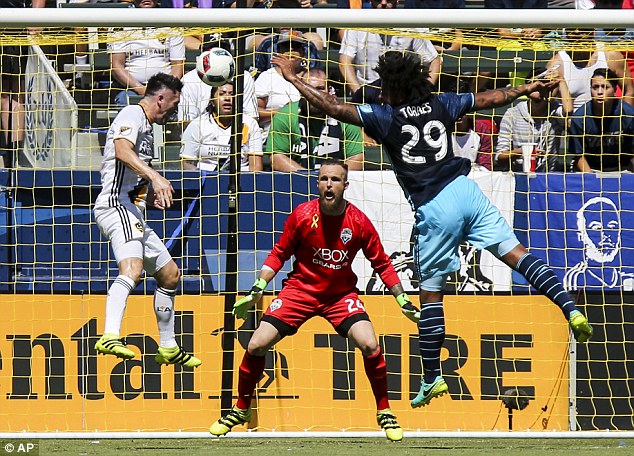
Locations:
602 130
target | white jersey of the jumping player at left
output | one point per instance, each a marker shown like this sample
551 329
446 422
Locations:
120 186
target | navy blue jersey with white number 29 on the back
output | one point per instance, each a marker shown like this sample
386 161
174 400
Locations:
418 140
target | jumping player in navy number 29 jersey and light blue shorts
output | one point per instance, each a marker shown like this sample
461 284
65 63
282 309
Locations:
415 127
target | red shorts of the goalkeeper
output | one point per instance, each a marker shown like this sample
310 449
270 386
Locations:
292 308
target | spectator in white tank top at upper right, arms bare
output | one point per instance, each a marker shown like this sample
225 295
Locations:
575 68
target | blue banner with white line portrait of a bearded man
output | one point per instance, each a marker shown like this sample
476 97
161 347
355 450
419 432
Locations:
582 225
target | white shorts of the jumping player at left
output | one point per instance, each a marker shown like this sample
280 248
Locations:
131 237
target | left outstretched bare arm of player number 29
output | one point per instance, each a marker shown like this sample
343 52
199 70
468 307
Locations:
330 104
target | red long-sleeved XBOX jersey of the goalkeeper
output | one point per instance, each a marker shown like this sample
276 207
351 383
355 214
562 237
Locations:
324 247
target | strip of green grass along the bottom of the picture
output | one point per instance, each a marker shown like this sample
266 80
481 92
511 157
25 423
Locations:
340 447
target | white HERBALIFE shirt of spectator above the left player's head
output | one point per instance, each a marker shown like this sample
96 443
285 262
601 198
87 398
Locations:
146 56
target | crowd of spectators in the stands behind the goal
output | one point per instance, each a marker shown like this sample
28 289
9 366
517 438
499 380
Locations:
586 125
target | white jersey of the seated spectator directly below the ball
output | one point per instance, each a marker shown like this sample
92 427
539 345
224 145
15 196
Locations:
209 143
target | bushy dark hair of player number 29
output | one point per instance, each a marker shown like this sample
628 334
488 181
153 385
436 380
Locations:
403 76
